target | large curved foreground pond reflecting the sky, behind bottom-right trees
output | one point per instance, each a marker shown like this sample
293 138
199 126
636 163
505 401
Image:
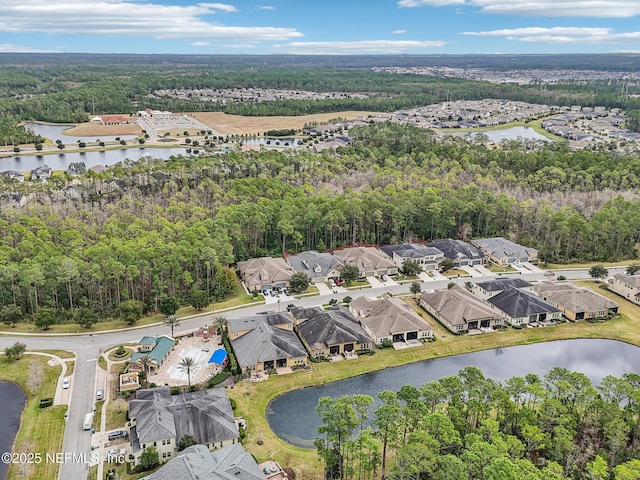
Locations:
292 415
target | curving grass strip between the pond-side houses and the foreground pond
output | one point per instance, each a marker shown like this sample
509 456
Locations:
253 398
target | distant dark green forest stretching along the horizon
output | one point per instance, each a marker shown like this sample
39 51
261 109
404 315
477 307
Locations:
35 87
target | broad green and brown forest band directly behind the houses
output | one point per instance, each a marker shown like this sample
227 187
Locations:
172 228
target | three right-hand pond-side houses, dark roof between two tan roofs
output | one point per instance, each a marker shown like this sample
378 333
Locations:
513 301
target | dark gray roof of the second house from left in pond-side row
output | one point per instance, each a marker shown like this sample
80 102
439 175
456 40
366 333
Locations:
329 327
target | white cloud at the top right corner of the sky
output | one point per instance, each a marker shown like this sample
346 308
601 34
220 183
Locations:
542 8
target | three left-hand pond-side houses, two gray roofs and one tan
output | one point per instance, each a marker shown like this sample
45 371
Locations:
271 340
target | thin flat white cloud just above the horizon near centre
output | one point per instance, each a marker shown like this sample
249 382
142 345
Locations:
363 47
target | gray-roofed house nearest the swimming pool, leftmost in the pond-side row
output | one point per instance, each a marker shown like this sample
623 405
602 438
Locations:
265 341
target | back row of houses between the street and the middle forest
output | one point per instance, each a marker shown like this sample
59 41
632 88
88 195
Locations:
268 273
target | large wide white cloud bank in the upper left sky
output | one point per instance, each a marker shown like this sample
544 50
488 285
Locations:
127 18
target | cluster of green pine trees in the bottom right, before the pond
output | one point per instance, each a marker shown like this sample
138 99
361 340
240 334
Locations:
468 426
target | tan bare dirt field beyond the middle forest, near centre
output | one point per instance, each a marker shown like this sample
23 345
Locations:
237 125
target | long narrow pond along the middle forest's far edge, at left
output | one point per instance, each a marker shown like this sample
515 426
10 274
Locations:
60 161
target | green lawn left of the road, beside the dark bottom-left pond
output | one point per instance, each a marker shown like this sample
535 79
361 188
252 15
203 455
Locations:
41 430
